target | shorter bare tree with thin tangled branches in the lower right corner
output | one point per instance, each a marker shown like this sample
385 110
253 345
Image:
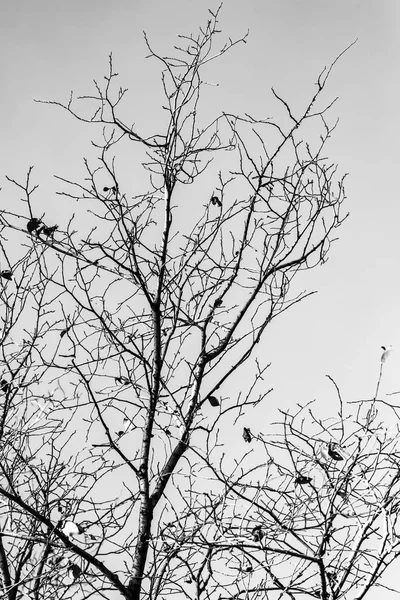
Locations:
319 517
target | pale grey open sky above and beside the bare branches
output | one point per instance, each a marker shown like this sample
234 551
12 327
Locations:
48 48
